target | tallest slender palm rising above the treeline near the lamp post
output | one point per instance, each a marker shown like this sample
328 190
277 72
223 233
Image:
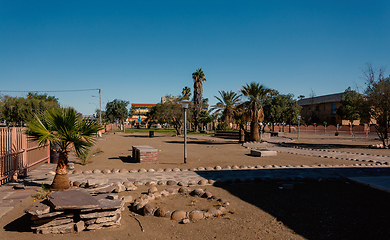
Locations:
198 77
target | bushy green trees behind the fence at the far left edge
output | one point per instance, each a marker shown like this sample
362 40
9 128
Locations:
16 110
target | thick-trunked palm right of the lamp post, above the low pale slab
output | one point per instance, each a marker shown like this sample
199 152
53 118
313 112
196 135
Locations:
256 95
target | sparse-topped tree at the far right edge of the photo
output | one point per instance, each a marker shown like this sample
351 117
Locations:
378 99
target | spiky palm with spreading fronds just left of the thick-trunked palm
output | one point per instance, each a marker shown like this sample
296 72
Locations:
226 105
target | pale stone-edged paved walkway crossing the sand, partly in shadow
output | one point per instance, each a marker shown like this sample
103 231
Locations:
376 173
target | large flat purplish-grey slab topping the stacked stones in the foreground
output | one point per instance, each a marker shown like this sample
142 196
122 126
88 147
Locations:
72 199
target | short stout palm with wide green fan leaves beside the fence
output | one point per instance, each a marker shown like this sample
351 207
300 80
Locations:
66 129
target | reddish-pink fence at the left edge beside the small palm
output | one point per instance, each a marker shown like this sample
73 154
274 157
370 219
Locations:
19 154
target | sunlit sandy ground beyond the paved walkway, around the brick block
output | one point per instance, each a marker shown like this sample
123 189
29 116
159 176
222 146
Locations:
210 152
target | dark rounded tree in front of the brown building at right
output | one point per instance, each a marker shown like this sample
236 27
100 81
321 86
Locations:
351 106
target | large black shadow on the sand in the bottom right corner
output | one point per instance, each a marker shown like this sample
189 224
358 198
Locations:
318 209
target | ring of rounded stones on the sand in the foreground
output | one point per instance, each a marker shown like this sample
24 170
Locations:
141 205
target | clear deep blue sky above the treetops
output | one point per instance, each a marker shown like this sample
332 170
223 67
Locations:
140 51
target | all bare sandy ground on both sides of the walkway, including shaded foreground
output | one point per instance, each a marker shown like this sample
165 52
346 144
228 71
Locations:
262 210
